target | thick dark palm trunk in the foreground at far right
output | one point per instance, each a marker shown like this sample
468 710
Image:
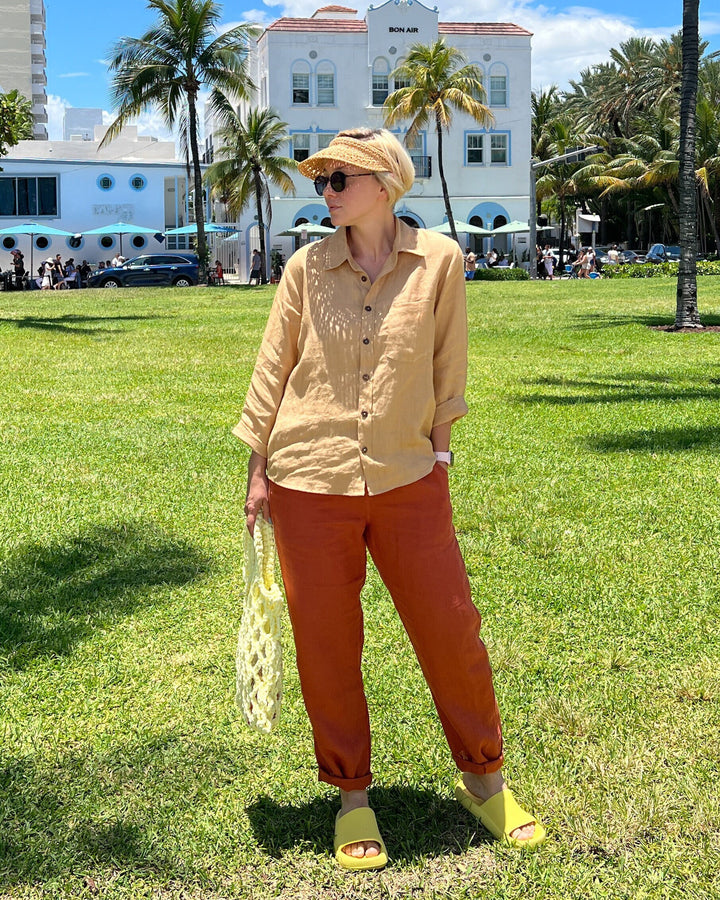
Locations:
686 311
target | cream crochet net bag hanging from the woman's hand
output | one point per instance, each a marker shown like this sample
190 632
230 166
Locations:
259 652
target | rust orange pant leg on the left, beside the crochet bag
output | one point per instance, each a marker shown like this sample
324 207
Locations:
322 557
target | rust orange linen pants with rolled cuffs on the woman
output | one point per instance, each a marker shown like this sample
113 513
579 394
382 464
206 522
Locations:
321 542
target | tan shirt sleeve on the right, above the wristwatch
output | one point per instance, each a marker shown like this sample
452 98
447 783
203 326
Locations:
451 344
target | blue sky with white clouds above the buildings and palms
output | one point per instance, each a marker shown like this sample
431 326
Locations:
567 37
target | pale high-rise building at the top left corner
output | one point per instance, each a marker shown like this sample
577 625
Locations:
22 57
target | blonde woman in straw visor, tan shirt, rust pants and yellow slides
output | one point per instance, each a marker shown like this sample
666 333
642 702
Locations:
359 379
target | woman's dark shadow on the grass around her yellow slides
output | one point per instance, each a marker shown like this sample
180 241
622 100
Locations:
414 824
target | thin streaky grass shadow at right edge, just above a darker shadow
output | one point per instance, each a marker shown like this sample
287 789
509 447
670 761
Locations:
623 387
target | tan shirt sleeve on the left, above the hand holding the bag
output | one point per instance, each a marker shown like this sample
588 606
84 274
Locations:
276 360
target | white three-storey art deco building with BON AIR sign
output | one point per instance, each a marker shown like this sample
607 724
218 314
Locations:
333 71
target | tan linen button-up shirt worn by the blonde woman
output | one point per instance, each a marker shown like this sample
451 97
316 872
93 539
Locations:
352 376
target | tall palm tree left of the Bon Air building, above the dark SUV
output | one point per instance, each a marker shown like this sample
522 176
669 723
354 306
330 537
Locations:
167 67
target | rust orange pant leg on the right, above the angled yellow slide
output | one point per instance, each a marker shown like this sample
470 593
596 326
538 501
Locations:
412 541
